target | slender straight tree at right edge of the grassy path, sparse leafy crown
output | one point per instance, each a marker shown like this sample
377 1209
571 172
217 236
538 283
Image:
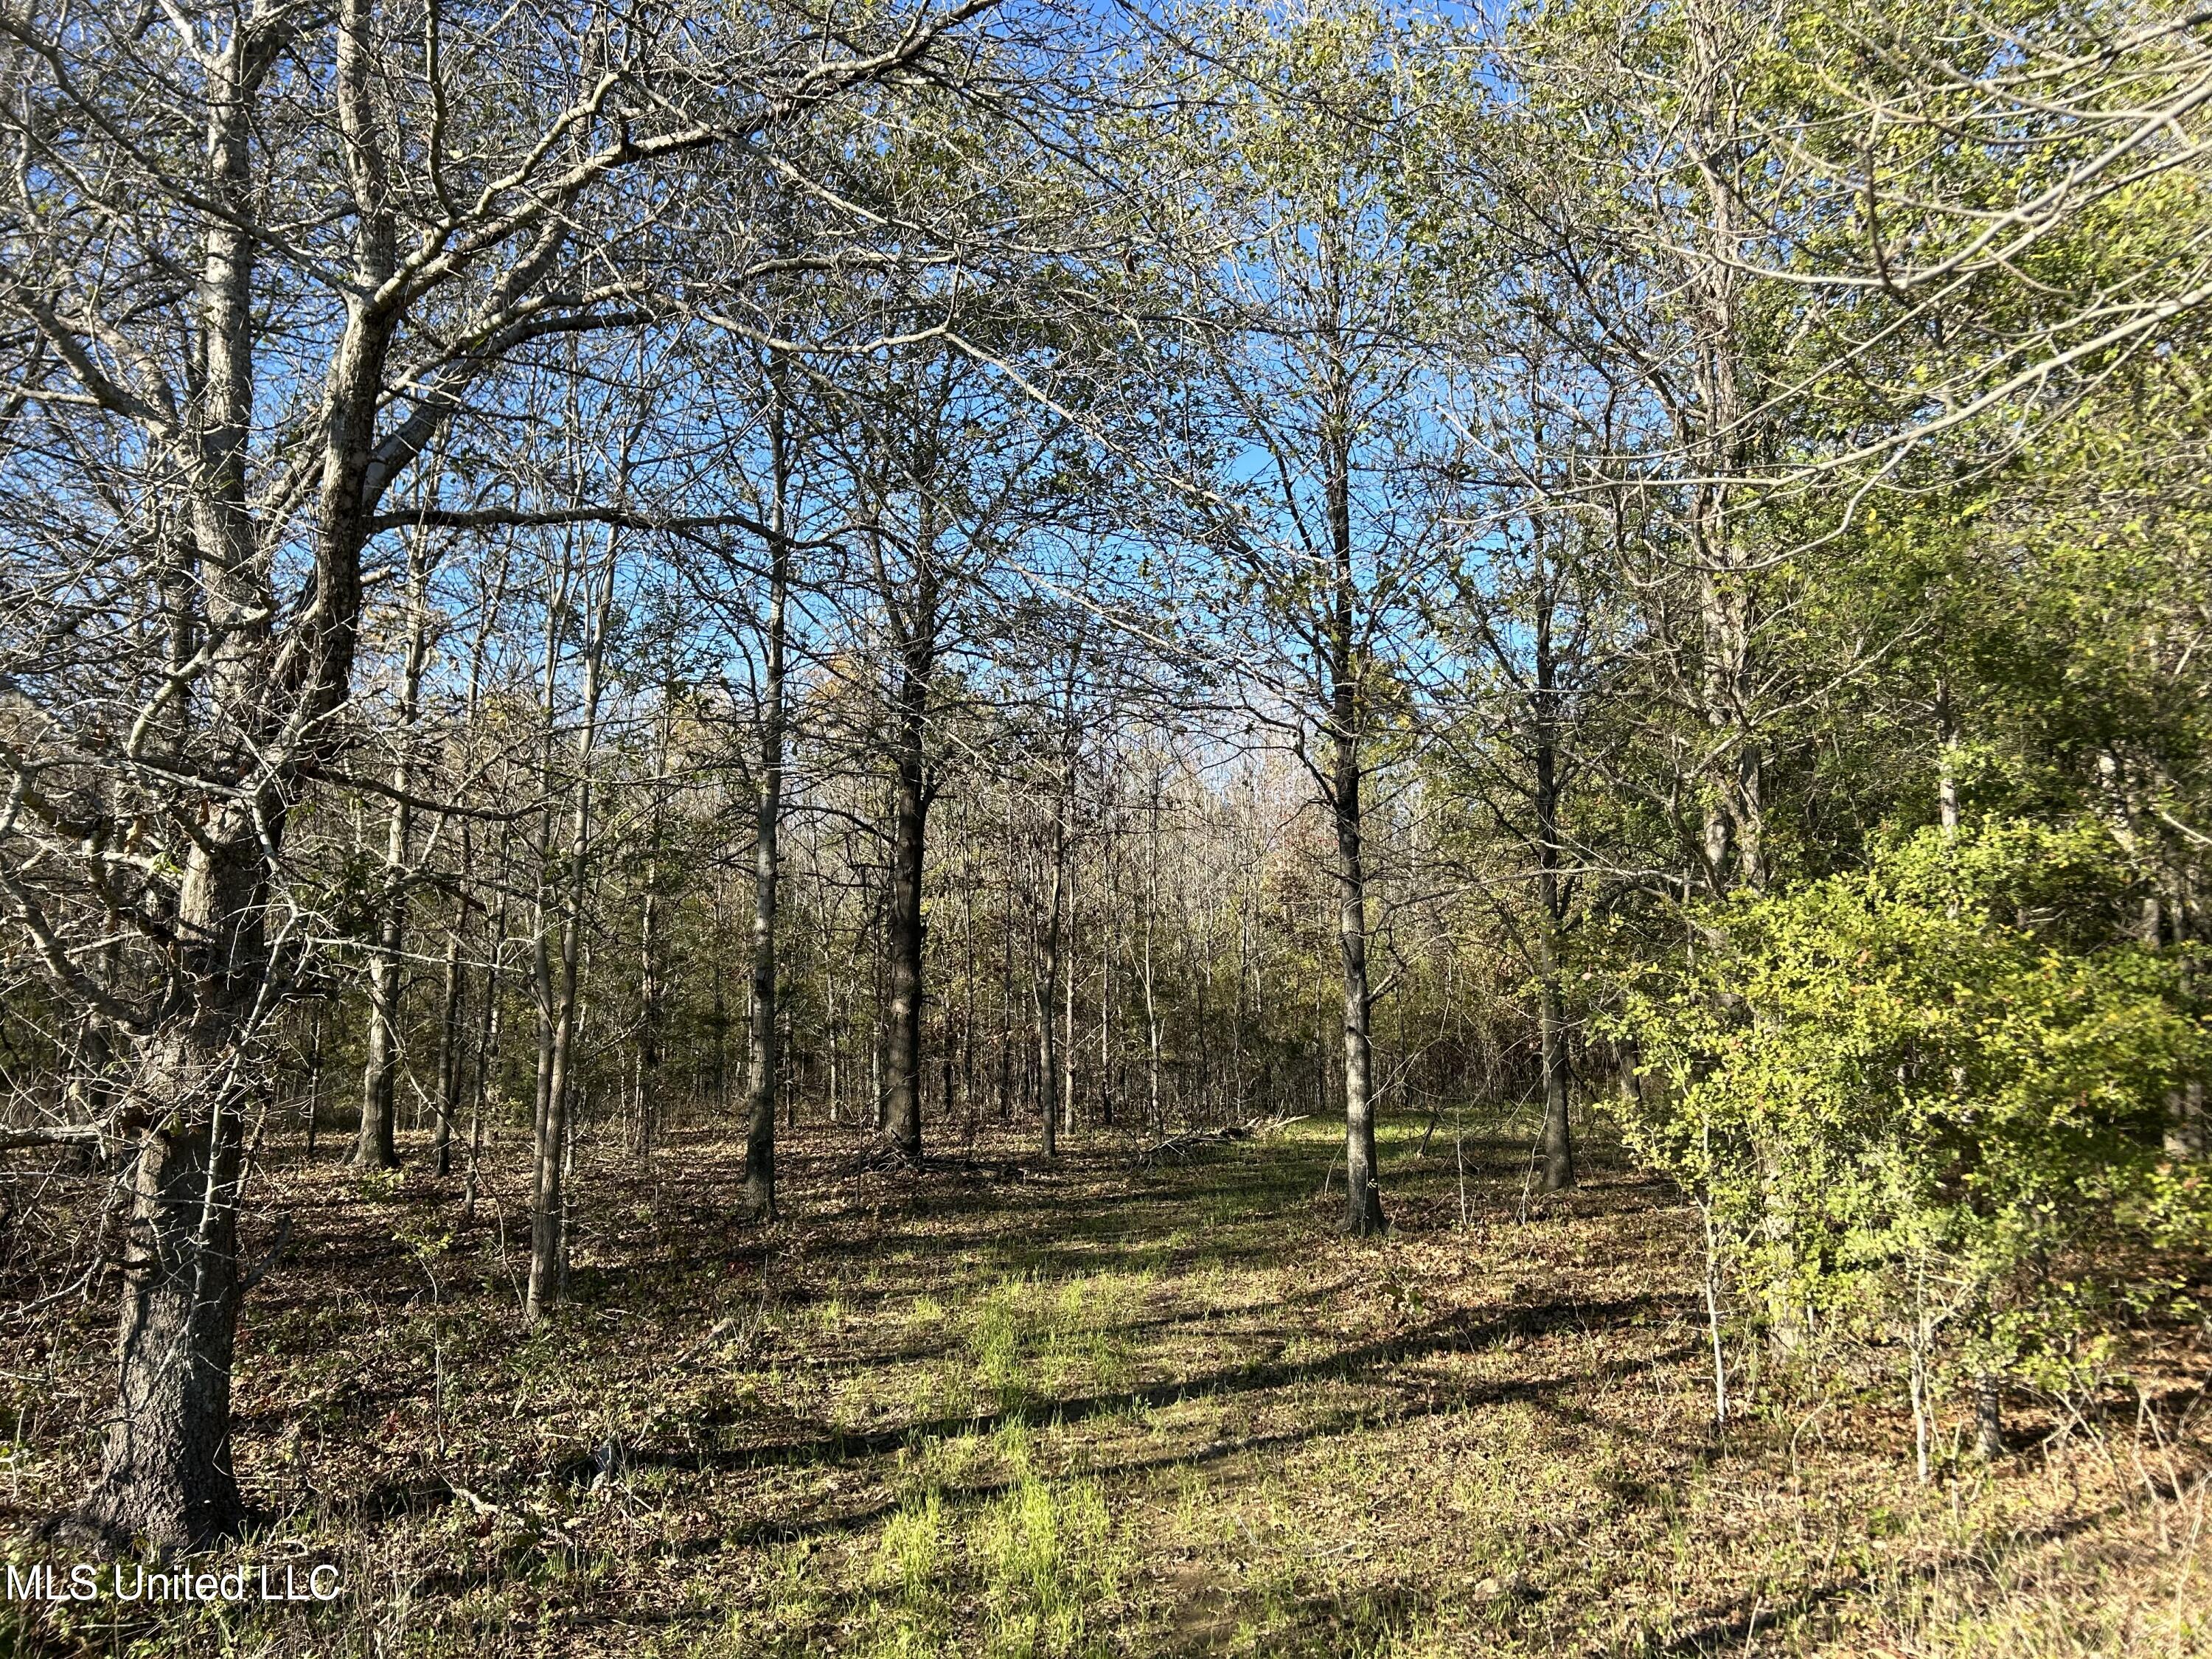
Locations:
1317 390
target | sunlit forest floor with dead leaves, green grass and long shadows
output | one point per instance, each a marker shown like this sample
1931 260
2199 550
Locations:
1094 1410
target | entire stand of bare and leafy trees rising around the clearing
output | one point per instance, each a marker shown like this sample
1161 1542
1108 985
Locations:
585 572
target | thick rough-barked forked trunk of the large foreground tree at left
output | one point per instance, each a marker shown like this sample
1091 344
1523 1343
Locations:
167 1459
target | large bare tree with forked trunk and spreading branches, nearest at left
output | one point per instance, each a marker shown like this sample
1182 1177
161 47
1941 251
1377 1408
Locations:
194 479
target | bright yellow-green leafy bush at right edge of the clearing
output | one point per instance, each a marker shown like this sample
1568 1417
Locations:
1926 1105
